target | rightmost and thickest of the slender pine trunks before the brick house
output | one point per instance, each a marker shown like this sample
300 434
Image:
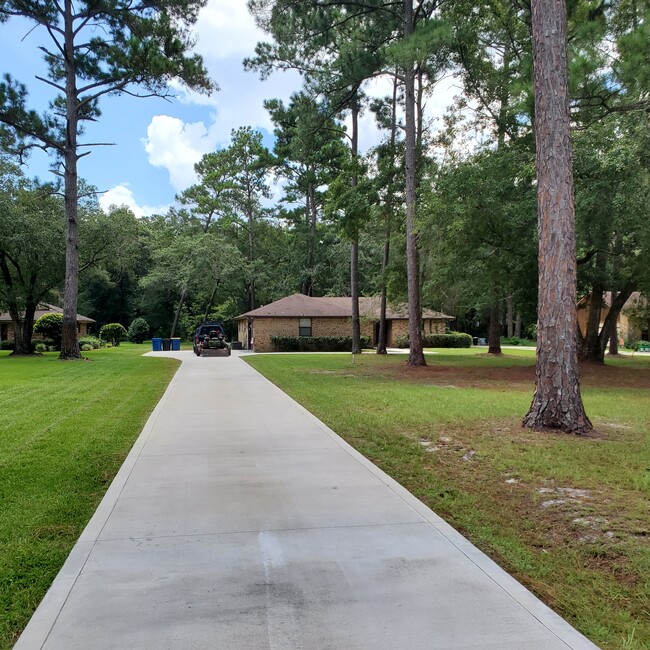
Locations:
416 353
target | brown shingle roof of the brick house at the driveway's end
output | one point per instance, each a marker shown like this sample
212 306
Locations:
301 306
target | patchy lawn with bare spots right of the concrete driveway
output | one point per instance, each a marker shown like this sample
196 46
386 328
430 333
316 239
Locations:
567 515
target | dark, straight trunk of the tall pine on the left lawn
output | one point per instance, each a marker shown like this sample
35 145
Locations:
70 340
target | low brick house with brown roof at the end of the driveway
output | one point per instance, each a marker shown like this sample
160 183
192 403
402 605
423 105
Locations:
300 315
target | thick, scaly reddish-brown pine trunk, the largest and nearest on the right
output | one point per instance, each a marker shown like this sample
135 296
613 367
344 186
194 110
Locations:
557 402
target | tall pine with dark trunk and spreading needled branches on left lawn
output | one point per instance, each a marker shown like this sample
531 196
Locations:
95 49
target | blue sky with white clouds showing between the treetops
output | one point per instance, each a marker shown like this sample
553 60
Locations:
157 142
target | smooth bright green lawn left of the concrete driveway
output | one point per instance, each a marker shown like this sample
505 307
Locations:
65 428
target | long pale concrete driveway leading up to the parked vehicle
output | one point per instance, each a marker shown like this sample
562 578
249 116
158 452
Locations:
240 521
